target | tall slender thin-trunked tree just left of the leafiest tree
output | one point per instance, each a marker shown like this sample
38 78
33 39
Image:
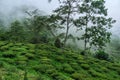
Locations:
65 14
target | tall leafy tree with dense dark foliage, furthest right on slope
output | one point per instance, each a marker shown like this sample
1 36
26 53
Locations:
94 22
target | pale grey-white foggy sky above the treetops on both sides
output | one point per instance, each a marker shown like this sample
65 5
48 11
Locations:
13 9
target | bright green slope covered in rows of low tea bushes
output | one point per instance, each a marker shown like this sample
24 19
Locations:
26 62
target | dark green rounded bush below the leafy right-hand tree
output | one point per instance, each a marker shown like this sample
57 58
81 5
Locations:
102 55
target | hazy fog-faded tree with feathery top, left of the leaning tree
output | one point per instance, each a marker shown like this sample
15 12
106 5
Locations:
35 24
